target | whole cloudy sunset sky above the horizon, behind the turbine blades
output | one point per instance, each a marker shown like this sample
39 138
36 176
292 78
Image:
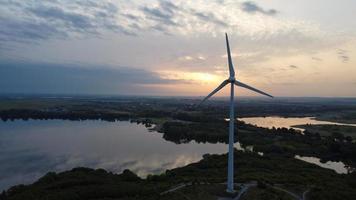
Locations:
177 48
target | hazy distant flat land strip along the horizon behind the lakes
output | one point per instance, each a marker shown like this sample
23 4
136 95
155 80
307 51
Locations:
115 108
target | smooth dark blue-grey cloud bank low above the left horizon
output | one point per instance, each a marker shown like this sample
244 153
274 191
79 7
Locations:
71 79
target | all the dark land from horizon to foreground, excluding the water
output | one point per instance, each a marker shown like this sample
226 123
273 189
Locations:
180 121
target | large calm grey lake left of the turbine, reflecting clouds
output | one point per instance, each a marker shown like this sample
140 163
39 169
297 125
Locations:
29 149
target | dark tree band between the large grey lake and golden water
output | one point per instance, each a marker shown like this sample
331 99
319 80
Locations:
281 141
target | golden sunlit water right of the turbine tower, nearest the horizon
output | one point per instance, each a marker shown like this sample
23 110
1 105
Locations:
279 122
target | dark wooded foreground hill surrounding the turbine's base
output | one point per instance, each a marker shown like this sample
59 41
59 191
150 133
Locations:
203 181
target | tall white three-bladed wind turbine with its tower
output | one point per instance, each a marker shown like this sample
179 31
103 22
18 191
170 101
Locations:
232 81
